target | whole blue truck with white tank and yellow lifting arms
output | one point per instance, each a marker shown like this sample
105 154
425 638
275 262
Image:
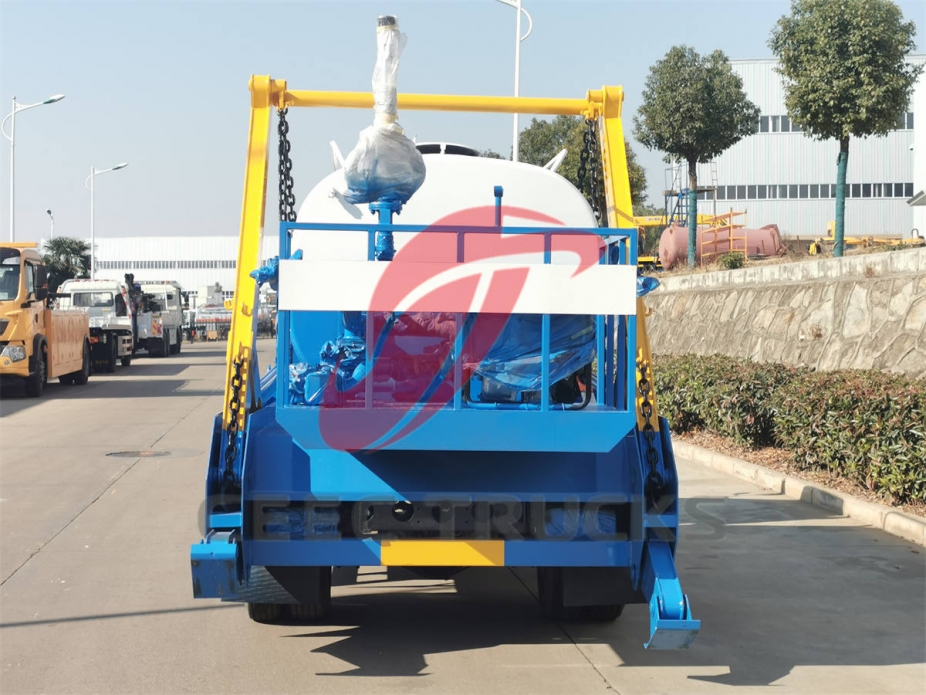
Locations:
472 387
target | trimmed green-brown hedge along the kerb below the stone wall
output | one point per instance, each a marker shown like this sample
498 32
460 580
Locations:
866 426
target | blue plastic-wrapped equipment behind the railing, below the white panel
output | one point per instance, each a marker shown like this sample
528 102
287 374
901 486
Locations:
413 358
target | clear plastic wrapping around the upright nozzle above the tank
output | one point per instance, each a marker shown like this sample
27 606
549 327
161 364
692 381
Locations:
385 165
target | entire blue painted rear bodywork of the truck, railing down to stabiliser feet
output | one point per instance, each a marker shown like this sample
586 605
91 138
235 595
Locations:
591 458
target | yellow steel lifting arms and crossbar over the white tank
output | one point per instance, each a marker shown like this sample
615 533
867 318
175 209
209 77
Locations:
267 93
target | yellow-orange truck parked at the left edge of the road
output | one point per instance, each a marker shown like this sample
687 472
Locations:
37 343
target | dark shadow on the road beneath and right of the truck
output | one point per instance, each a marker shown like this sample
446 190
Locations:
776 583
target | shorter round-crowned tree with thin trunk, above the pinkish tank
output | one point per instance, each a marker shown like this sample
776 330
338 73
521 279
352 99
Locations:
693 109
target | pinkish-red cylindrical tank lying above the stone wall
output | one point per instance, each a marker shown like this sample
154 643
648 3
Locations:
759 243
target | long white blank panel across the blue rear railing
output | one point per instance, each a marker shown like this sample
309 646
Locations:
549 289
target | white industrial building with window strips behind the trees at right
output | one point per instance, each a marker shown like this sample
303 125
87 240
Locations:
780 176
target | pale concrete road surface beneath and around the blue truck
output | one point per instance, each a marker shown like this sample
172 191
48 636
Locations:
96 590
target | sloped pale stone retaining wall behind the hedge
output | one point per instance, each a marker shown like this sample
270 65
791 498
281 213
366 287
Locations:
860 312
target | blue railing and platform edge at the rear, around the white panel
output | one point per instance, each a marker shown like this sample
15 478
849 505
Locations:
543 428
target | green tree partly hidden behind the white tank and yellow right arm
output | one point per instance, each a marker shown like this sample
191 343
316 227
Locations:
542 140
